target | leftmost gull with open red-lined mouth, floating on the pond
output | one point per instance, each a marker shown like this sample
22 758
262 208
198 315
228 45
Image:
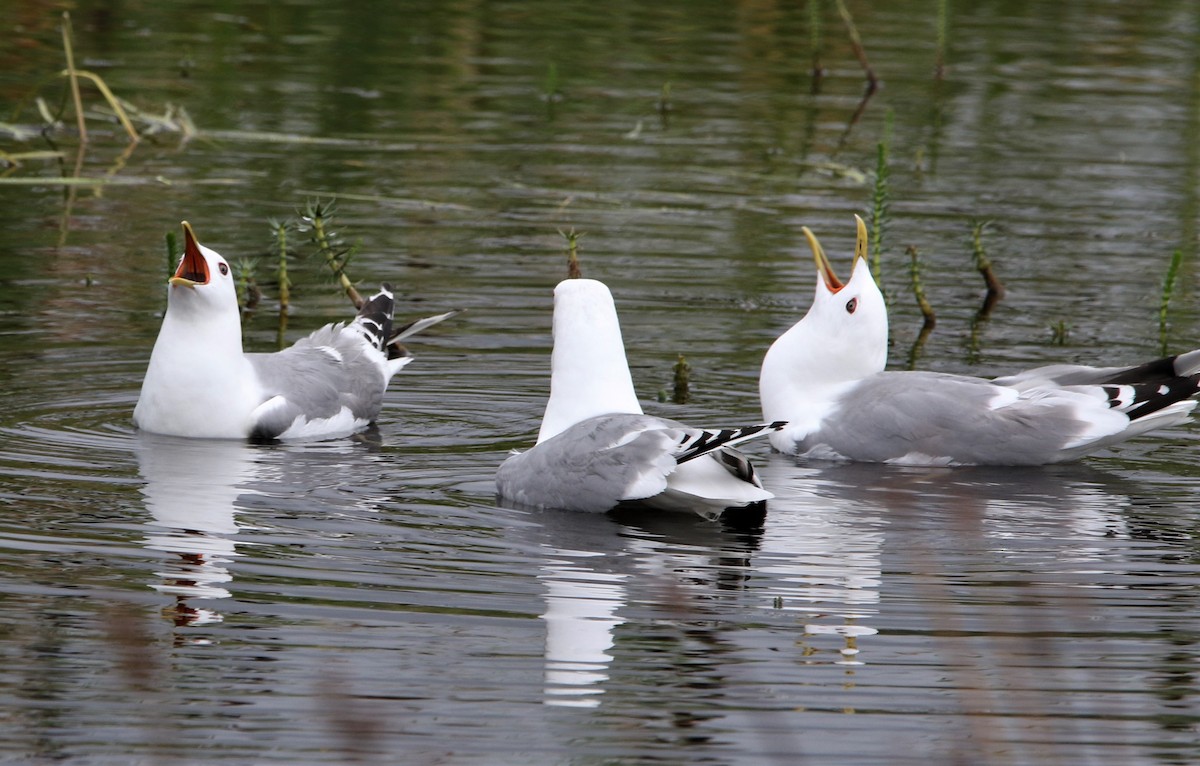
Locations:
200 384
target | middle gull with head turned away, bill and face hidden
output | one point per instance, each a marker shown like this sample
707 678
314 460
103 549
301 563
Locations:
597 450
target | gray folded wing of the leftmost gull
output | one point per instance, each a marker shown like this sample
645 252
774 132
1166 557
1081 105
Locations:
331 374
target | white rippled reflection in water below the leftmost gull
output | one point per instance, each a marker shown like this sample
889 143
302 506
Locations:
191 488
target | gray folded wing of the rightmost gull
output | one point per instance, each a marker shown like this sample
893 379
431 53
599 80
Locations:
953 420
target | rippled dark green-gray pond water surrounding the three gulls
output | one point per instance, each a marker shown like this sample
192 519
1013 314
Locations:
367 600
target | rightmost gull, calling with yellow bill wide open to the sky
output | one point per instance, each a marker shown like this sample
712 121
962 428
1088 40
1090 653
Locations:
826 378
